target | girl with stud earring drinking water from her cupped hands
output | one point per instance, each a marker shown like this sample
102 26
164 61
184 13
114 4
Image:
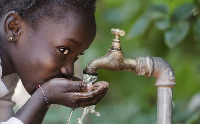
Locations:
40 41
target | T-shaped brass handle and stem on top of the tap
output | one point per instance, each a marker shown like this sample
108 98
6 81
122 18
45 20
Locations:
116 42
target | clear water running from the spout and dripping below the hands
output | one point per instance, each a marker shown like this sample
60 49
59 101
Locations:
90 109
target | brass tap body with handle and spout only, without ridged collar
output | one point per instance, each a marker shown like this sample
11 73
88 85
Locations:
114 60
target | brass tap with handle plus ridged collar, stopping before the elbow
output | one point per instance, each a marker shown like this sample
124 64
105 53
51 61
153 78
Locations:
114 60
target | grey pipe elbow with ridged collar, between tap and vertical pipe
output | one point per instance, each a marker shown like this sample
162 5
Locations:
157 67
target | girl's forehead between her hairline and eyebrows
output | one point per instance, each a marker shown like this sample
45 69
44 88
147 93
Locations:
72 26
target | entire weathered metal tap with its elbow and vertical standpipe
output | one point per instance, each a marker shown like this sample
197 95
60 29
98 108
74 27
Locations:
114 60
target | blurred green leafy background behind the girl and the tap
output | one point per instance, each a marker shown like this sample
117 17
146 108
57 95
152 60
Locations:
165 28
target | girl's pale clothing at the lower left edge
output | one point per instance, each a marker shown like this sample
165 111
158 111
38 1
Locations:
7 87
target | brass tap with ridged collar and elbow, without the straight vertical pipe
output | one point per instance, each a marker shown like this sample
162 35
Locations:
114 60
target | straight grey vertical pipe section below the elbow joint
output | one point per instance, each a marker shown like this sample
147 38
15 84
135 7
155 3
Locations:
164 105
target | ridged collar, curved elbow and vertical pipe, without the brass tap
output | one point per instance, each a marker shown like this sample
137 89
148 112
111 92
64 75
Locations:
165 81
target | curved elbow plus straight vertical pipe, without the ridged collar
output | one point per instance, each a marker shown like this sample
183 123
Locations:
165 81
